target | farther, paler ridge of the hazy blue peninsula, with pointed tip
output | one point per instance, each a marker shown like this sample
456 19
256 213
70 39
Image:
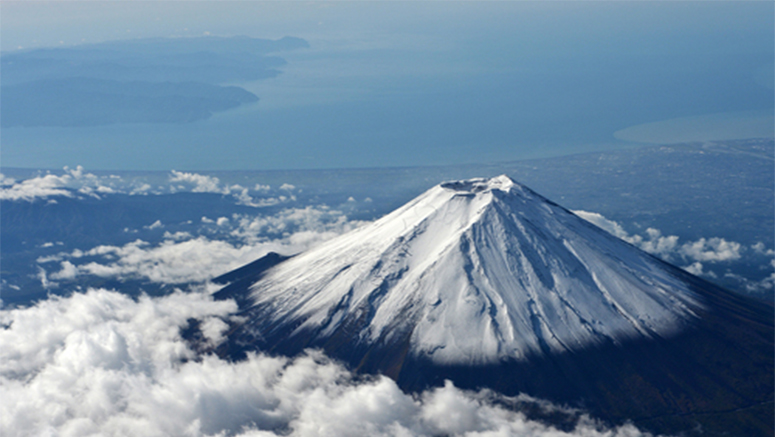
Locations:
213 60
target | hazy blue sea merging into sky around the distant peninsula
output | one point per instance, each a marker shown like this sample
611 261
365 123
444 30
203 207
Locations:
425 83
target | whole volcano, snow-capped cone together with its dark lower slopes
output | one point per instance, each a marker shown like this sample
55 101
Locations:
487 283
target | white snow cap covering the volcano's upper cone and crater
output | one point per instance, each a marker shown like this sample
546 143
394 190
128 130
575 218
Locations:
477 271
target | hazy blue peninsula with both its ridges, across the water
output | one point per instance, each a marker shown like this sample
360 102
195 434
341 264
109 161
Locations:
159 80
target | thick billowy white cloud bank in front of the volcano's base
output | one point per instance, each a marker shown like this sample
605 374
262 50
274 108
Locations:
100 363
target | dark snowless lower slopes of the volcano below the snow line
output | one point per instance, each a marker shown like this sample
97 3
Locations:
718 375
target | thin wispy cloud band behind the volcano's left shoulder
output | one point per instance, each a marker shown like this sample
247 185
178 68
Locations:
182 258
